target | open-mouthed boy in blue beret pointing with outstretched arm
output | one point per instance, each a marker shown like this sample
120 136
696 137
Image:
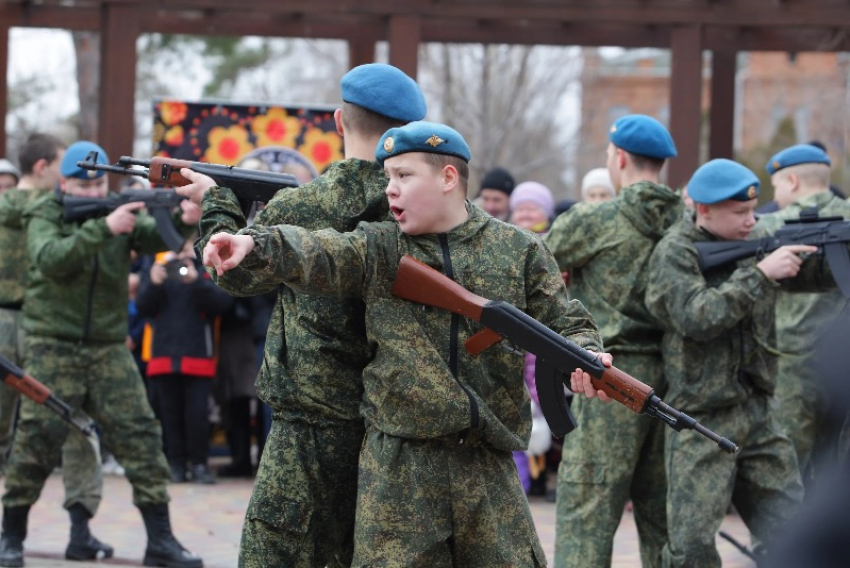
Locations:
437 484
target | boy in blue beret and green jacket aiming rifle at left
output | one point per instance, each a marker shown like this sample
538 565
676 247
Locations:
75 318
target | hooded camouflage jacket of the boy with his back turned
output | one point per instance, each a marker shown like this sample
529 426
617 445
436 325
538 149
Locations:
606 248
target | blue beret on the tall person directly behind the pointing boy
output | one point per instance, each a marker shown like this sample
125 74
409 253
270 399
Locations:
385 90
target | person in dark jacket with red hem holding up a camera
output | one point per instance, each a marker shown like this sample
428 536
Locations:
182 303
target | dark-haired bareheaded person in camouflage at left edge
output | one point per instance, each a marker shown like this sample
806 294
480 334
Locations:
40 157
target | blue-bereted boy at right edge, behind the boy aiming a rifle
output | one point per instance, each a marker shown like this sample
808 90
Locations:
800 177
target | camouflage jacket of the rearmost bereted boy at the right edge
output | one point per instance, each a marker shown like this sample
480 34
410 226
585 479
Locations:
801 317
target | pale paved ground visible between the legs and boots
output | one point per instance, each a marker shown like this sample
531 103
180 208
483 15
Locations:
207 519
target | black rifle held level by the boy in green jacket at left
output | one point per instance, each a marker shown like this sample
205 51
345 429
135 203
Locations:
159 202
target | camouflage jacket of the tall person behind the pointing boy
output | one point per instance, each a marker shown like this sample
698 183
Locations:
316 347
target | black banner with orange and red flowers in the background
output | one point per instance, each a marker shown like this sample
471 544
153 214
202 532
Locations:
299 140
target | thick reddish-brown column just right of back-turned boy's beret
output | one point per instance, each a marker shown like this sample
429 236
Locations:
685 98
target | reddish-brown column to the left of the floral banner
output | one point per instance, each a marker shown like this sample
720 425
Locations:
118 34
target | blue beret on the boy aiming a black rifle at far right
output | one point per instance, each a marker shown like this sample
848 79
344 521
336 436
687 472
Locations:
722 179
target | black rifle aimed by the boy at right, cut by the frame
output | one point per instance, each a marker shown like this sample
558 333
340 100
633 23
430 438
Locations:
832 234
